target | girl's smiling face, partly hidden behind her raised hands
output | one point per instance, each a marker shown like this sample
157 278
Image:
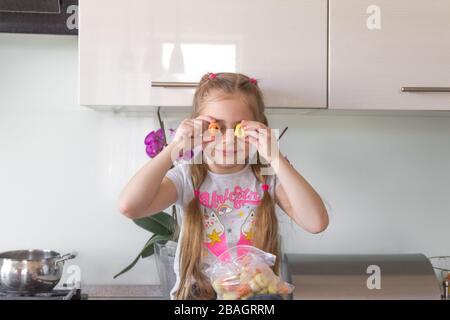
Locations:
227 150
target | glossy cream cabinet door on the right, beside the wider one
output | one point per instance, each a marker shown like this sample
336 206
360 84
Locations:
379 47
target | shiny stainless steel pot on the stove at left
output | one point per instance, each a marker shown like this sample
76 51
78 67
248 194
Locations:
31 271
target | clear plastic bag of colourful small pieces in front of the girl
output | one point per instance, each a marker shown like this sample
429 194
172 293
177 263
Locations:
244 272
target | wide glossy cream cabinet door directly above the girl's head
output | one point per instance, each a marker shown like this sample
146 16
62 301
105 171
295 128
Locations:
125 46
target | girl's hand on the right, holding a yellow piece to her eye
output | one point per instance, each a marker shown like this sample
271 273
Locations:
262 137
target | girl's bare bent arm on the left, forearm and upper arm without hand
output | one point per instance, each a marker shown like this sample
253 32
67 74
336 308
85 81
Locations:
149 191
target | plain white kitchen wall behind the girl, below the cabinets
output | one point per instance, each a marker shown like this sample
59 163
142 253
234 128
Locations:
387 178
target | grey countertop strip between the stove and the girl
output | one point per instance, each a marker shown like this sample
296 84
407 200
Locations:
123 292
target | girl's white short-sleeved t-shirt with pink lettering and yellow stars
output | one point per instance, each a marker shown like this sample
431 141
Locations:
229 204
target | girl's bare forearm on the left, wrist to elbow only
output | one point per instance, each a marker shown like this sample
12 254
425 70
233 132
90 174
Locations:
138 194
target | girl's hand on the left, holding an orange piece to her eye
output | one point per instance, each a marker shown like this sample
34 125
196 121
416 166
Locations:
193 132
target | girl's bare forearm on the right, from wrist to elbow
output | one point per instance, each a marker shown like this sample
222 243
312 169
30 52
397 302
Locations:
306 204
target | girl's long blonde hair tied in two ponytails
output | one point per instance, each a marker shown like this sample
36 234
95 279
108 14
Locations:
194 284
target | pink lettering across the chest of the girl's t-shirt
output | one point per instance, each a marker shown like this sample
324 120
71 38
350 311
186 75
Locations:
239 197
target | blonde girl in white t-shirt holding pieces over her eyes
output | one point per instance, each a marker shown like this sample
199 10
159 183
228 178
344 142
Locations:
223 201
